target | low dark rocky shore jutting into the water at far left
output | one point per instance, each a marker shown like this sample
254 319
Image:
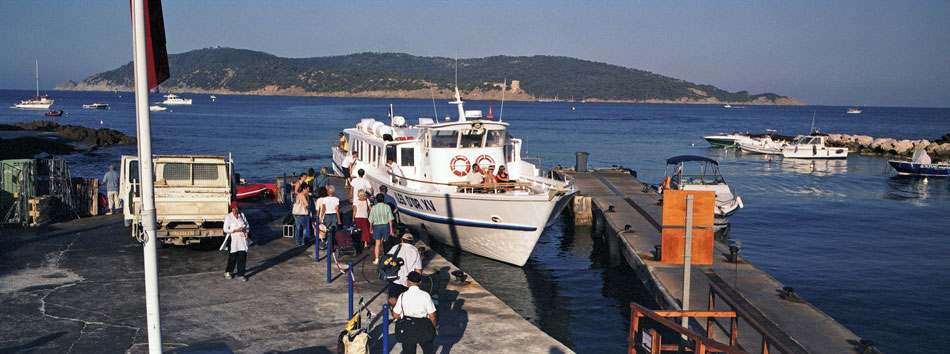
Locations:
25 147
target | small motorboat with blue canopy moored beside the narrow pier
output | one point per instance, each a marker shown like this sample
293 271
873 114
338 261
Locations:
697 173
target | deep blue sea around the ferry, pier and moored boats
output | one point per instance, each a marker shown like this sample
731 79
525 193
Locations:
866 246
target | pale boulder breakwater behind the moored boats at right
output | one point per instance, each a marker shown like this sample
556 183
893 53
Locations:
863 144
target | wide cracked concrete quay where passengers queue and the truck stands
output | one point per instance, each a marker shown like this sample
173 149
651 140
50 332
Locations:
78 287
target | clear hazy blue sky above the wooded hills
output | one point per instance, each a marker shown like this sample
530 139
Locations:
847 53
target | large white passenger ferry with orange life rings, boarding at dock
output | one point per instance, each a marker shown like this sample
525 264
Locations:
501 221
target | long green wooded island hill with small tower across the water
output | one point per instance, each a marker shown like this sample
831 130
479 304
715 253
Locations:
231 70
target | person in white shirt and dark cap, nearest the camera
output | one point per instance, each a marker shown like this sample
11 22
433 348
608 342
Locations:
416 308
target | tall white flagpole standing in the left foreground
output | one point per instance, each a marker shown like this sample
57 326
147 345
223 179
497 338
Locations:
143 125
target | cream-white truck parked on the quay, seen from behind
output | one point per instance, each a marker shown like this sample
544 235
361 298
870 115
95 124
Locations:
192 196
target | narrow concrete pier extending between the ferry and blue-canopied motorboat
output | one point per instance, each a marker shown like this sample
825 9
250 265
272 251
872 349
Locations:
629 216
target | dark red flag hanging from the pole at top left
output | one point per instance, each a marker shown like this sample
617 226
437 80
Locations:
155 52
